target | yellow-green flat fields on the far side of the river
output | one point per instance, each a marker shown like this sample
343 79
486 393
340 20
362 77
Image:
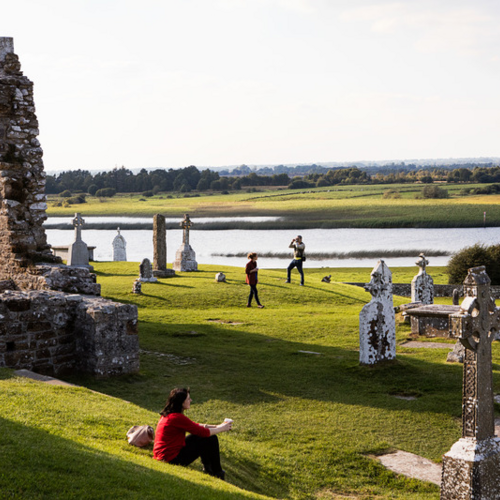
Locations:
335 206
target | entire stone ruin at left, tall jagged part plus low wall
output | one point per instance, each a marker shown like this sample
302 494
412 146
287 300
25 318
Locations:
45 324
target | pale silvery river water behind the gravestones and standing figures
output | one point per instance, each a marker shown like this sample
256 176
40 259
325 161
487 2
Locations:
208 243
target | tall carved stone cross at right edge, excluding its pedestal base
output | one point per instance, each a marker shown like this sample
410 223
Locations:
476 325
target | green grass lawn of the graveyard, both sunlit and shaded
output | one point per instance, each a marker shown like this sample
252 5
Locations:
308 418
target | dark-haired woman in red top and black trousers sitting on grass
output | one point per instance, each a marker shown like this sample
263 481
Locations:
171 444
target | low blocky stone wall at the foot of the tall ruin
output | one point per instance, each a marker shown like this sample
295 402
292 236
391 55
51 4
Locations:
54 333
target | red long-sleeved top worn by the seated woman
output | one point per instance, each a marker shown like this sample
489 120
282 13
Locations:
170 435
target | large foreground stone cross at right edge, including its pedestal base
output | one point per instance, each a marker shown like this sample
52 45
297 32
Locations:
471 468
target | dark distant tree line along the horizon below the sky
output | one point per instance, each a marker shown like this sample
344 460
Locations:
150 182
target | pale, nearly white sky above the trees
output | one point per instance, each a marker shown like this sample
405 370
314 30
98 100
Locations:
173 83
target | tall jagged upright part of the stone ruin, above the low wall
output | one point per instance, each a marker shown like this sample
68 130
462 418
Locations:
22 180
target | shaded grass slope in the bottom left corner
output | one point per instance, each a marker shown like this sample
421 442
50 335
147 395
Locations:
55 467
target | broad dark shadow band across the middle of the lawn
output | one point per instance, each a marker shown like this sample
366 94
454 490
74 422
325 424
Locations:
228 364
